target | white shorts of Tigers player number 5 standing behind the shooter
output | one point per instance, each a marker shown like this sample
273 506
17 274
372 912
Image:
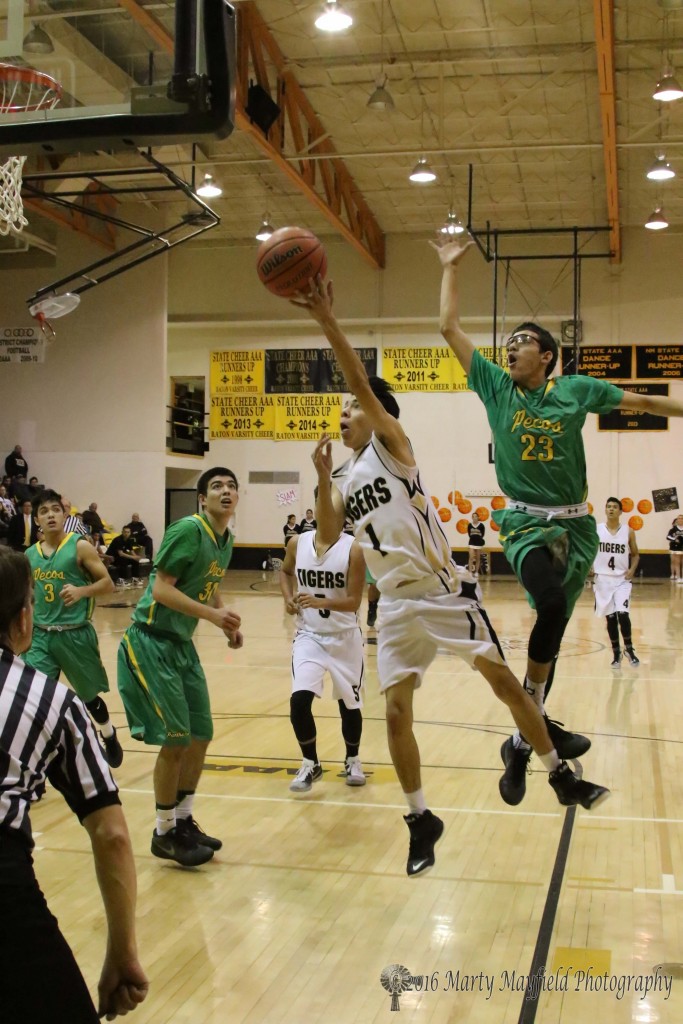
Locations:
338 654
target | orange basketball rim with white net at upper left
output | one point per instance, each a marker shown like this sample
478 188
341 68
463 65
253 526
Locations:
22 90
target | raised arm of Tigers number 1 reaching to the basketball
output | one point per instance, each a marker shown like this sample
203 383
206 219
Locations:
318 302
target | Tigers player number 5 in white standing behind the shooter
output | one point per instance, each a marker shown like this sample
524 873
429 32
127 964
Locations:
322 585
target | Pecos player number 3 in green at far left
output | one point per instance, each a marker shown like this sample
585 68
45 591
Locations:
68 576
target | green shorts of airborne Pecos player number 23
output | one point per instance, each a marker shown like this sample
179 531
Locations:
521 533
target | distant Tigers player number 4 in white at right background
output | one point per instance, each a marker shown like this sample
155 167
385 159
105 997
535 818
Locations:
614 570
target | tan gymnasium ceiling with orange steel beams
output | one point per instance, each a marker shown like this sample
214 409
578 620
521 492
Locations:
524 91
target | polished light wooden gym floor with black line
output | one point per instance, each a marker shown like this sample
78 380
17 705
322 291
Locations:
296 919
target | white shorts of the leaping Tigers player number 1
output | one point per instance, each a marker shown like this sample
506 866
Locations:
415 629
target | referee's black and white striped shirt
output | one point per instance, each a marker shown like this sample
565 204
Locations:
47 734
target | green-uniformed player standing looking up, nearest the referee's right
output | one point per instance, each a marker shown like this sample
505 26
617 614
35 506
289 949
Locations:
161 681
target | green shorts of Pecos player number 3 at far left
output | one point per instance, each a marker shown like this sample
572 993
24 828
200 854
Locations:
76 653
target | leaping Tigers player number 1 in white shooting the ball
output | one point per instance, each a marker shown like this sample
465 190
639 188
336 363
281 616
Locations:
426 603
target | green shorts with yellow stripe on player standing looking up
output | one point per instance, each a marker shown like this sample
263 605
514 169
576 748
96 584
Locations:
164 690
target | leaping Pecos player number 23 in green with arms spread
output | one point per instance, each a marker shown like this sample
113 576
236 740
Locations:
547 534
